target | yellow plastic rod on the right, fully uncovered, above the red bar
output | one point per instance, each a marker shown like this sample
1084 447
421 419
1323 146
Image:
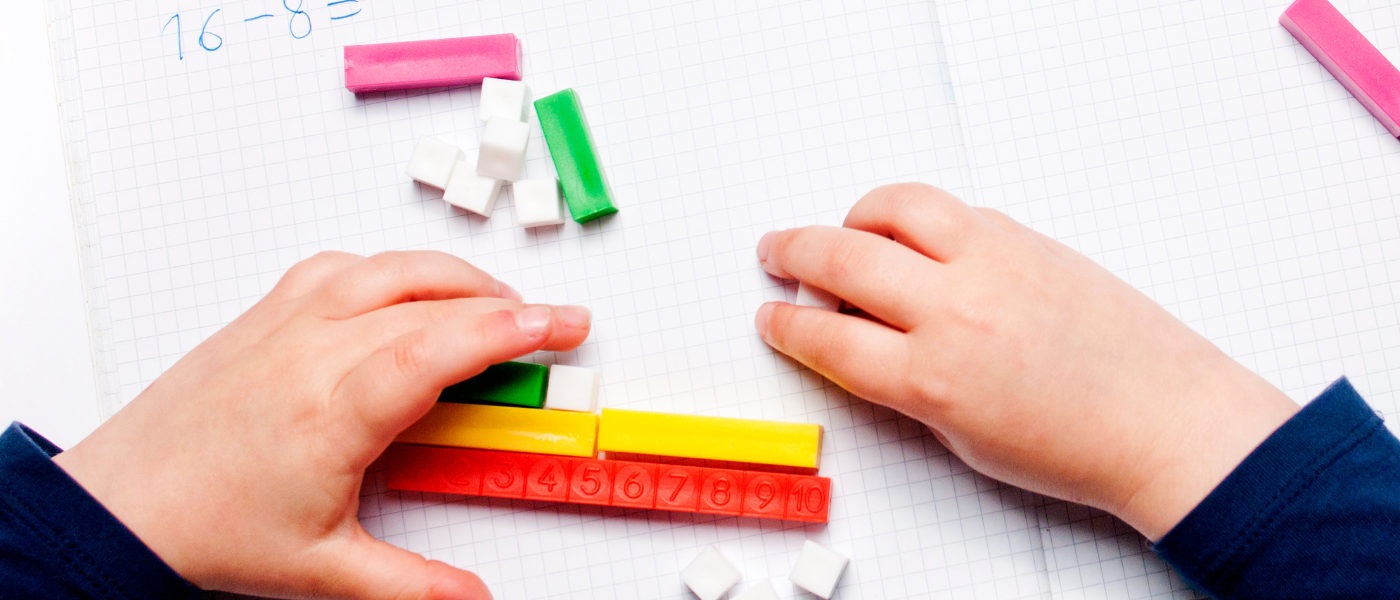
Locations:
715 438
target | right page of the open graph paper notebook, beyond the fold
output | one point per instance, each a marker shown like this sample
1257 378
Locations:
1202 155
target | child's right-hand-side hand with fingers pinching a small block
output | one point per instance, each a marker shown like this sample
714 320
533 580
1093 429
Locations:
1025 359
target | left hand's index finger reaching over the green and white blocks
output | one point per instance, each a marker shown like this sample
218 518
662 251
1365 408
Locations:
398 384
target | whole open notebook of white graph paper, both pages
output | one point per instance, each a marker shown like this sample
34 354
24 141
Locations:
1193 149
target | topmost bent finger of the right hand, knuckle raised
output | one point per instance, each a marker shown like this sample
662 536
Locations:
923 217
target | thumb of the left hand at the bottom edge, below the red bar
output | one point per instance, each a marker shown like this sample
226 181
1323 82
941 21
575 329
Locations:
374 570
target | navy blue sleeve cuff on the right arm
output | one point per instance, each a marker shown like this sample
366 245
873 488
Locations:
1312 513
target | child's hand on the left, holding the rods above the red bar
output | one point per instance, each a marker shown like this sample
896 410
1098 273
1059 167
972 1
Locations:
241 465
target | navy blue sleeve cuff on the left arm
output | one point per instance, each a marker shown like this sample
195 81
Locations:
57 542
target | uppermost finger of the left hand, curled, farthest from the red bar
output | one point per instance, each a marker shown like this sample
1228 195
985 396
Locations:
394 278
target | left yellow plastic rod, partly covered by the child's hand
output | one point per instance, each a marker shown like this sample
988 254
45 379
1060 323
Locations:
506 429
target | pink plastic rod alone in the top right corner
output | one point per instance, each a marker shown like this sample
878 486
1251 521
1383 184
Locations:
1349 57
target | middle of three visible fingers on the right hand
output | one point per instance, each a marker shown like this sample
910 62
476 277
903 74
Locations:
880 276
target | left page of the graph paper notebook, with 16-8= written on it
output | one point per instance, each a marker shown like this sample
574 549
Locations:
202 178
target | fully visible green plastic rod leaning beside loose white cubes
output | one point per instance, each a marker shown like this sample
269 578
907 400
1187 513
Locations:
572 148
